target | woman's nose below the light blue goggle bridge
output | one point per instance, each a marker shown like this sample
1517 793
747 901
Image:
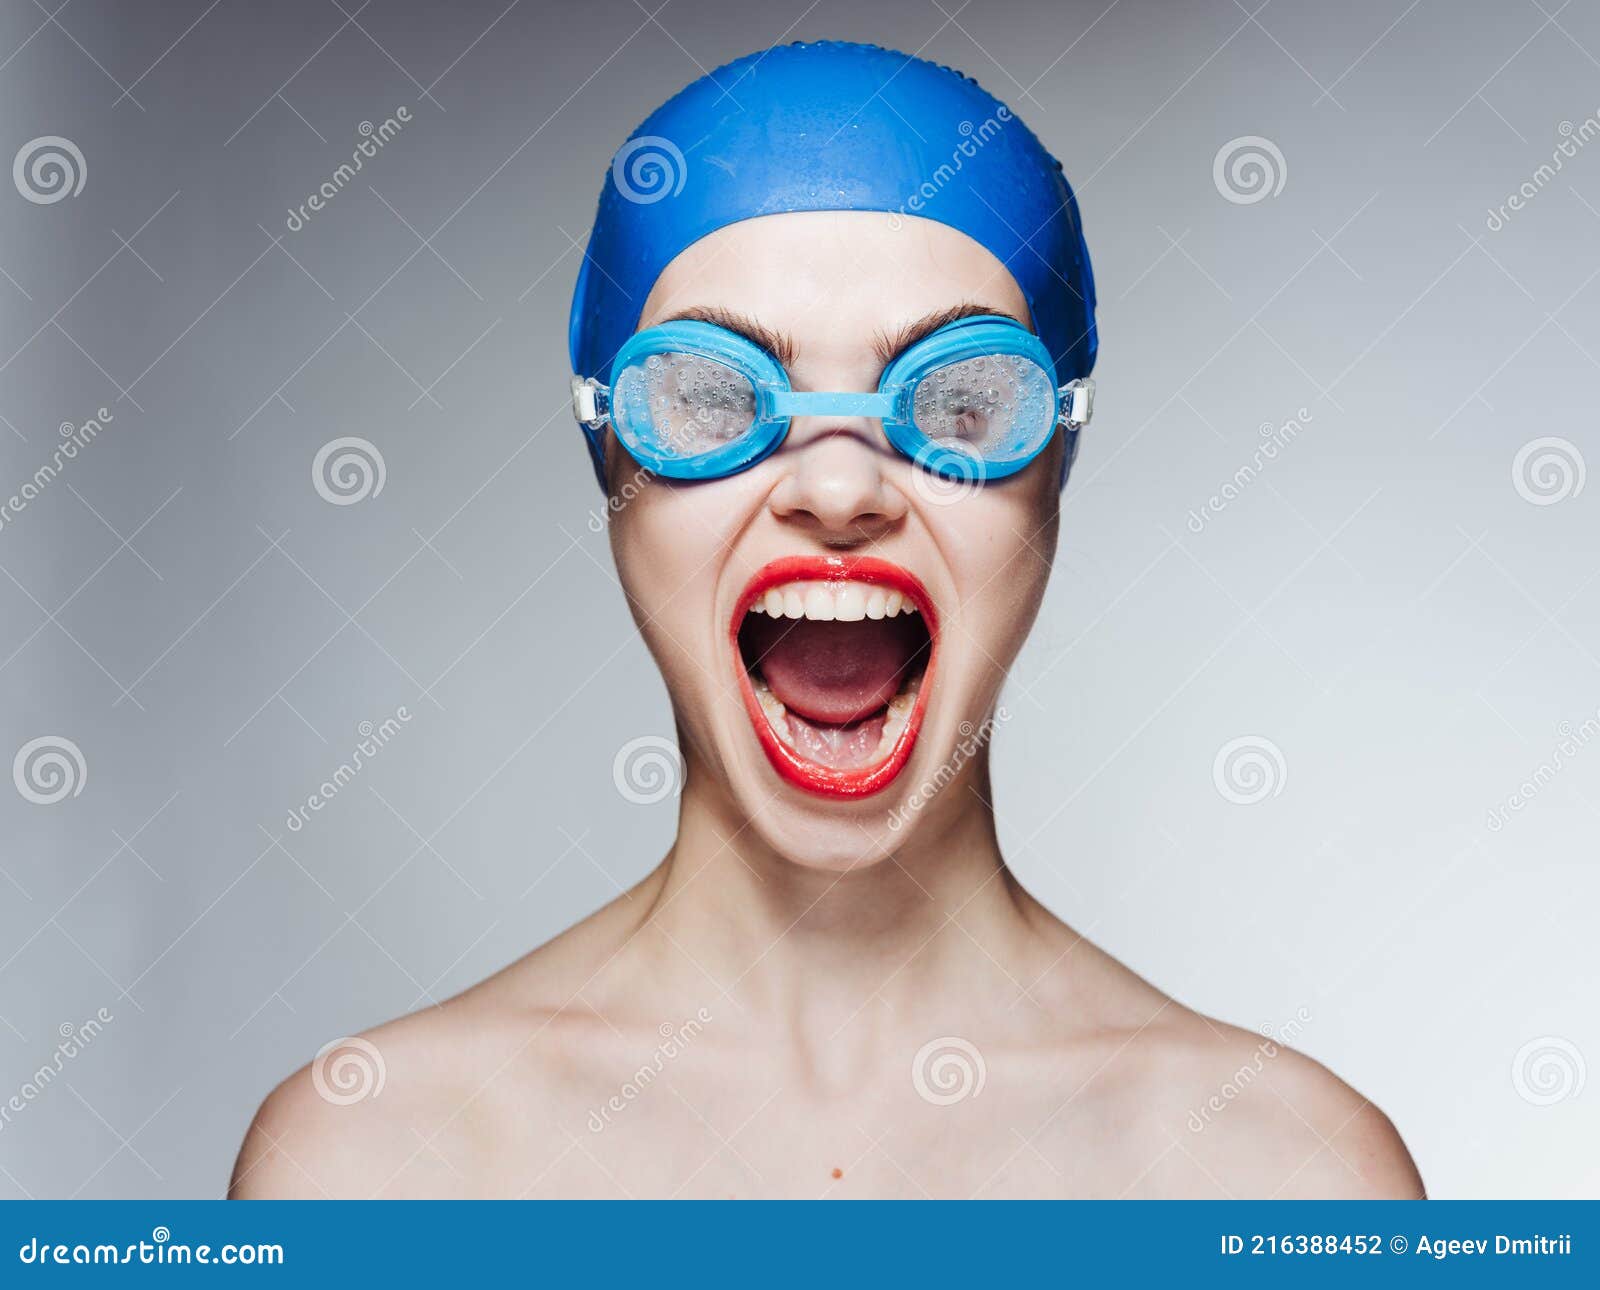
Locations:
836 486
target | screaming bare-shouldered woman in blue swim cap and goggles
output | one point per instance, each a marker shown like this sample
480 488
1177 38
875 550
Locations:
831 343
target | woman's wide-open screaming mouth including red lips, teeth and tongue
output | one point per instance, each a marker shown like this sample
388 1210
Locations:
836 659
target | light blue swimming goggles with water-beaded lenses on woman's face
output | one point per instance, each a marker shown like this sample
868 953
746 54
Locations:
975 401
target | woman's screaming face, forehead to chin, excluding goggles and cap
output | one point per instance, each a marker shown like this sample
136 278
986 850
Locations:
834 623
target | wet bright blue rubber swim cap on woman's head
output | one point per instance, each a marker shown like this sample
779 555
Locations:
833 127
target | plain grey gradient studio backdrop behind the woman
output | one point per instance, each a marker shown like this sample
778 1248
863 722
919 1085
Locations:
1382 604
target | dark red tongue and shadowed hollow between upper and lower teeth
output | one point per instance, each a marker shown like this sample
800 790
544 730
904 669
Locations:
834 673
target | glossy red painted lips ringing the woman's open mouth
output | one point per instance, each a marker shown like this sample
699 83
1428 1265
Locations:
831 782
